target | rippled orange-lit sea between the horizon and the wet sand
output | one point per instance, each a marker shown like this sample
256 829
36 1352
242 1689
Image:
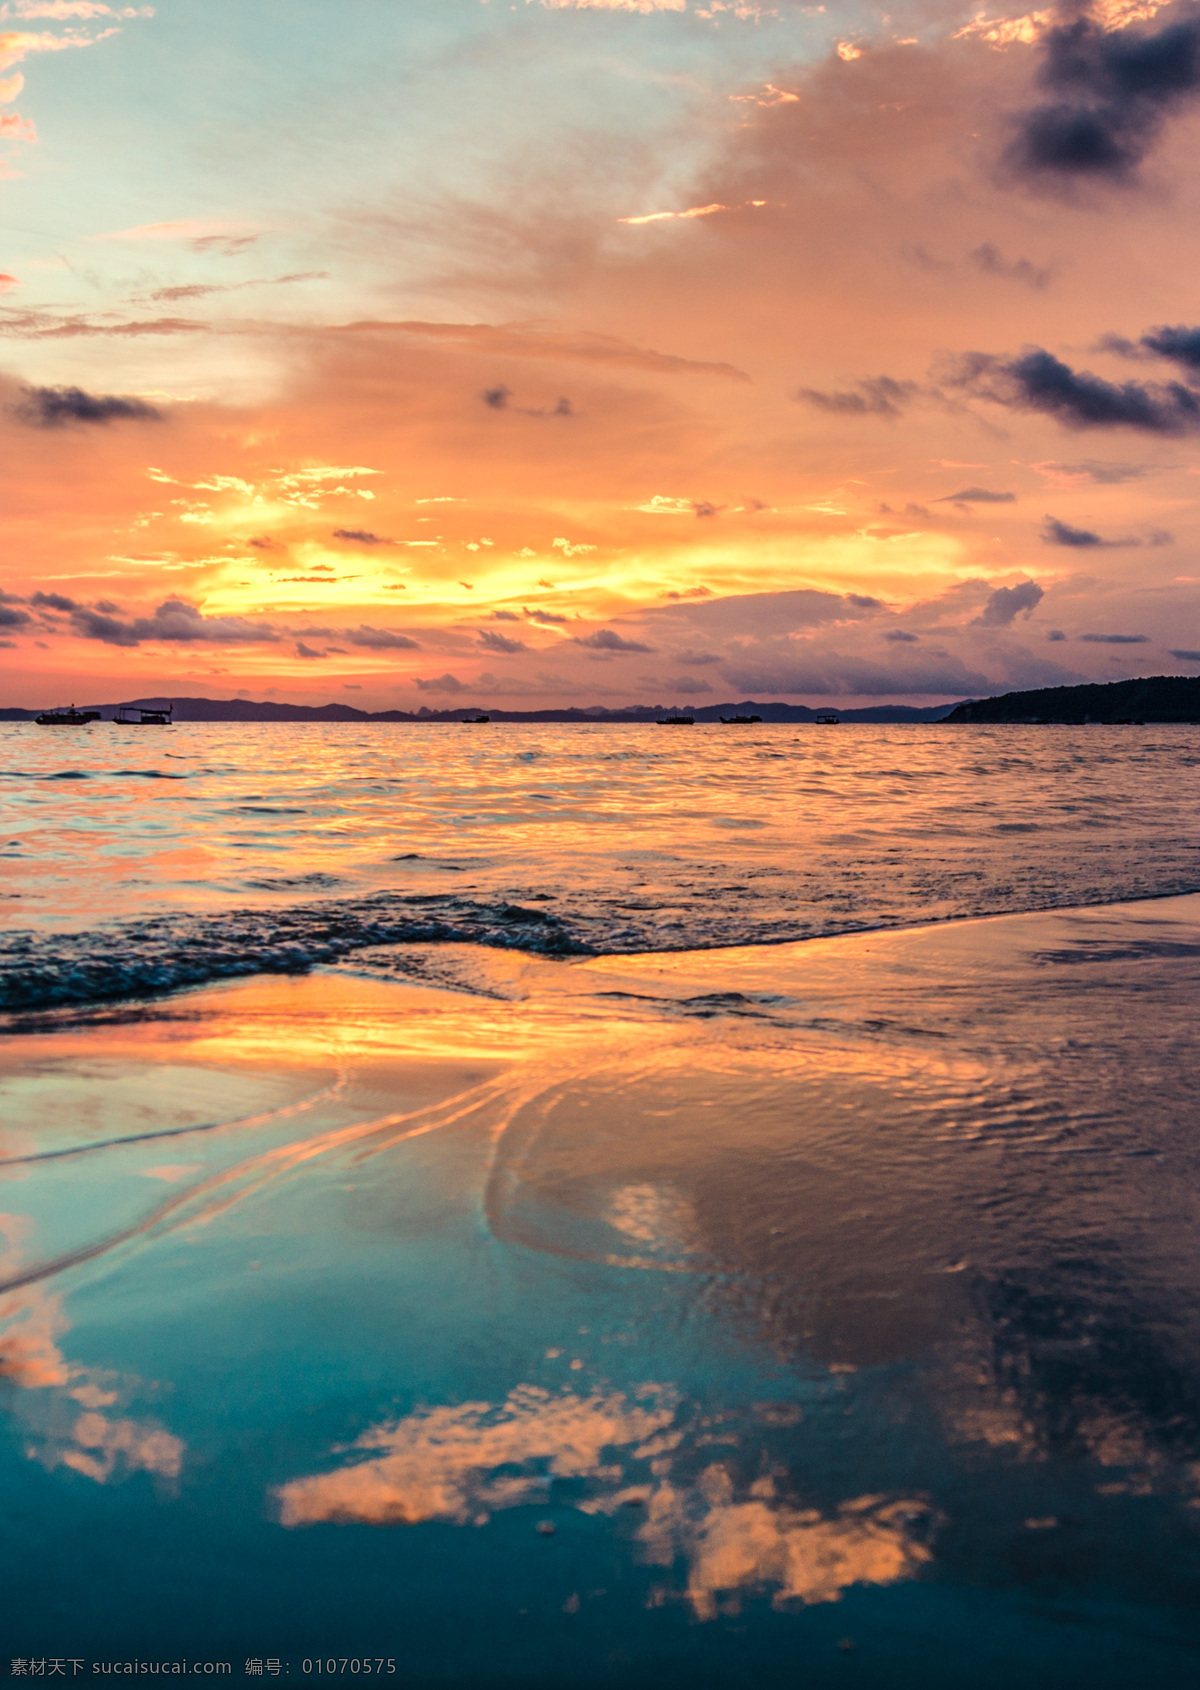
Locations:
143 859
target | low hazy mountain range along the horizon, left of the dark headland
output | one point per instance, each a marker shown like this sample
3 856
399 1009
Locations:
251 711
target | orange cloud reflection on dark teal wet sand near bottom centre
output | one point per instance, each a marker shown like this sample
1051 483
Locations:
464 1464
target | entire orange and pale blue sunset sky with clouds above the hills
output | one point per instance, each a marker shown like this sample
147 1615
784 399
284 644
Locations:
597 352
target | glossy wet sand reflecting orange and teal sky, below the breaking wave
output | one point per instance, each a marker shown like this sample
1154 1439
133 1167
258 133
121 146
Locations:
812 1314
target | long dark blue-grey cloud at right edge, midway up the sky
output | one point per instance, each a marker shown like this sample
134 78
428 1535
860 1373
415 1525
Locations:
1037 381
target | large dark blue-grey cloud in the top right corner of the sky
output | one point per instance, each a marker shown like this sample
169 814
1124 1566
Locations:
1110 95
